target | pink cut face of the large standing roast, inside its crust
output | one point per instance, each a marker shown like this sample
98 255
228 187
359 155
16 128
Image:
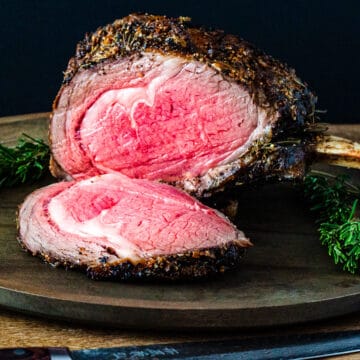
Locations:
164 125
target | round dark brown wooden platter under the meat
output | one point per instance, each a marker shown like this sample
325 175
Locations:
287 277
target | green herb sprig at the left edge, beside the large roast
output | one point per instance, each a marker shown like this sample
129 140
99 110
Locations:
24 163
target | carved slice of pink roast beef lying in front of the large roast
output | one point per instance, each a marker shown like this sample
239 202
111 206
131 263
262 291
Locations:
121 228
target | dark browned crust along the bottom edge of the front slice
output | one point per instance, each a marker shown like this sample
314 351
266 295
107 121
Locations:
192 264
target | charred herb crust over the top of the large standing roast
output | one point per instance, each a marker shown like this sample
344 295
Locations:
272 84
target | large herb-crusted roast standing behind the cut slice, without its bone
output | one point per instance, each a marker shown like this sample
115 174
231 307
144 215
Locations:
155 98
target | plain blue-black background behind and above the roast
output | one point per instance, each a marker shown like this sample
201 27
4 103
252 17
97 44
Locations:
320 39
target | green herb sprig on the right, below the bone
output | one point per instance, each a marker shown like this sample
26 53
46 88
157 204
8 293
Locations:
335 201
